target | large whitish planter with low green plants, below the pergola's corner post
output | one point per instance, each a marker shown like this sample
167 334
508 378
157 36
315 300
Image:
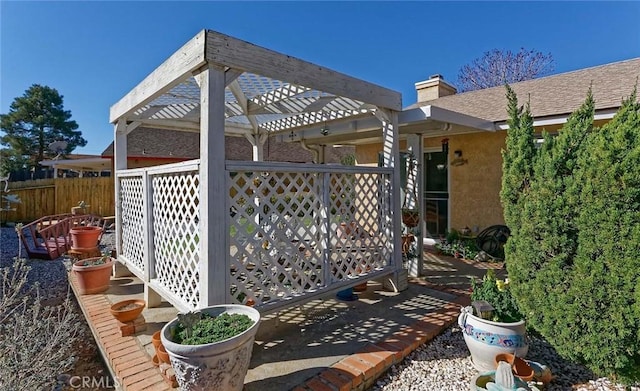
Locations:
210 349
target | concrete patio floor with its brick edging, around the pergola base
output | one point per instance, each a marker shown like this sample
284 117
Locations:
322 345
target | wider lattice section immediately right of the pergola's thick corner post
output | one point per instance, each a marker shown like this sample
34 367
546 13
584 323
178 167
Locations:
275 249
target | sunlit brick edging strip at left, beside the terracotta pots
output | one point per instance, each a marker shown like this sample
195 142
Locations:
127 360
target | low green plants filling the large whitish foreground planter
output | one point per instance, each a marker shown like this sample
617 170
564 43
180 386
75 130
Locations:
197 328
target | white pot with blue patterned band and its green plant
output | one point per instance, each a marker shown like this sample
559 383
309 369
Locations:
502 330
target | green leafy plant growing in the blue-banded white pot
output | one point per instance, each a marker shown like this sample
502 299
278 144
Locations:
497 293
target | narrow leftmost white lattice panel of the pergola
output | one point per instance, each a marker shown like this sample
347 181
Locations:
132 213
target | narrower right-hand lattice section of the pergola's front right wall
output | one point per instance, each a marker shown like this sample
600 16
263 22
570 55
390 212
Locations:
360 218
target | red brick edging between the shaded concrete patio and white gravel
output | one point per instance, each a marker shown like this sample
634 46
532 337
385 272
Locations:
359 371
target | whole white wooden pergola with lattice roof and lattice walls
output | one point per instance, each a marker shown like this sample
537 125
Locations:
211 231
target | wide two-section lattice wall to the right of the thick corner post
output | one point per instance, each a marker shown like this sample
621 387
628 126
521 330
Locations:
286 234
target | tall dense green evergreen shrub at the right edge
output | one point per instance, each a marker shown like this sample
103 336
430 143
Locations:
573 207
